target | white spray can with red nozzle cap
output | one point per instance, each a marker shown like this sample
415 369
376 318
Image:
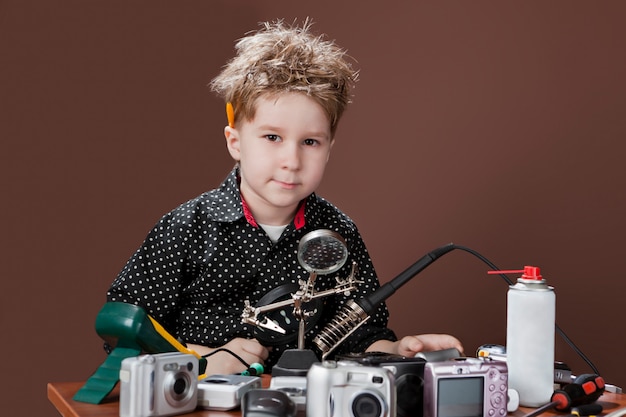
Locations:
531 306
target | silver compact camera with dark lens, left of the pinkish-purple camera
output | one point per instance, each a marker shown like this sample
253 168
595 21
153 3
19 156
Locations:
349 390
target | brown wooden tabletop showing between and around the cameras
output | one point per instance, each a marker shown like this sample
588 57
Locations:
60 395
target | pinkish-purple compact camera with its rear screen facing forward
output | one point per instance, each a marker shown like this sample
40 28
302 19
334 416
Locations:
468 387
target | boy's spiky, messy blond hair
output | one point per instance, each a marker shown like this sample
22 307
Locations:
278 59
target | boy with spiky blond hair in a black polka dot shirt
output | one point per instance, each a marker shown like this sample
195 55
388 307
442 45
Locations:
286 91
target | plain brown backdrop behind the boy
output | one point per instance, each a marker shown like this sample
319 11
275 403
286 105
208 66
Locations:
495 125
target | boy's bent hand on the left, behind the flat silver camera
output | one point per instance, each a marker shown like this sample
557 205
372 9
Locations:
250 350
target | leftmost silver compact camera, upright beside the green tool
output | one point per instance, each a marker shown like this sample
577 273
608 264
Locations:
162 384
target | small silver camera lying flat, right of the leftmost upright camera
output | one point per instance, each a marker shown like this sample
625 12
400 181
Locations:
224 392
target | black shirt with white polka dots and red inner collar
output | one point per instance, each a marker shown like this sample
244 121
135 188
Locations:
204 259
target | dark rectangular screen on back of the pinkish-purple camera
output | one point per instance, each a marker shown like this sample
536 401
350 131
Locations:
460 397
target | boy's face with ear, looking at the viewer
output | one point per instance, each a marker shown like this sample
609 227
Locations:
282 154
